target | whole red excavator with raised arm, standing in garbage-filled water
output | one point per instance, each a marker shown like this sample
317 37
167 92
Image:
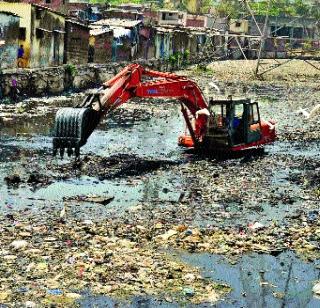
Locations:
214 127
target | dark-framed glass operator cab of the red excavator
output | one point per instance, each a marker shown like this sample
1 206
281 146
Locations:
233 123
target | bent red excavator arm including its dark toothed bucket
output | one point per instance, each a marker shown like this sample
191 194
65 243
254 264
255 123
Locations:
73 126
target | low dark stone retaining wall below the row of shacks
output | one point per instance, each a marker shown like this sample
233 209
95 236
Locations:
56 80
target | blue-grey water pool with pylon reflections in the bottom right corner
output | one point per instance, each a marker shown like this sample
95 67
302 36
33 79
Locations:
261 280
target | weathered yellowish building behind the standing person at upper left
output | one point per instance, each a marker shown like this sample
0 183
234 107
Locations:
41 32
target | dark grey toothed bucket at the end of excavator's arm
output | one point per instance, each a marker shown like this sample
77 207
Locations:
73 126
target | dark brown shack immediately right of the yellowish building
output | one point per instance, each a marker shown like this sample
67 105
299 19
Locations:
76 42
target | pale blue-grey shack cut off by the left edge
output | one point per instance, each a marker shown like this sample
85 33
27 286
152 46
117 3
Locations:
9 43
